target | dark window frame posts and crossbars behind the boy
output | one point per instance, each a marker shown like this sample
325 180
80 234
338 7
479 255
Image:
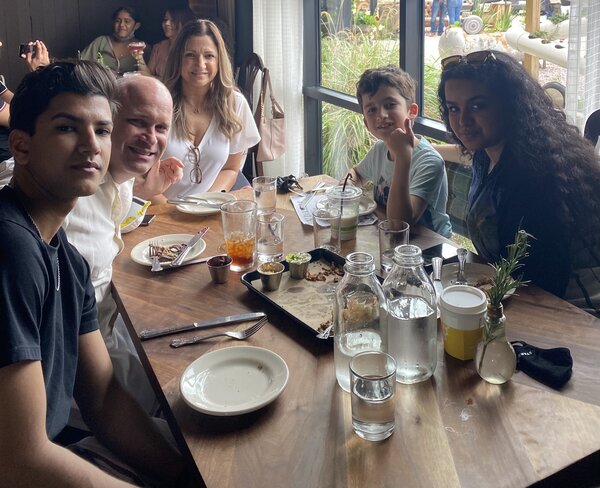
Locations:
412 48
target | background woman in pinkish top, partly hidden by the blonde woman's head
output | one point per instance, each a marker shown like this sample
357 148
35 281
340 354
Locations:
174 20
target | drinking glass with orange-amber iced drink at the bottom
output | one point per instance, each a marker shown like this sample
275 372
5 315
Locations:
239 229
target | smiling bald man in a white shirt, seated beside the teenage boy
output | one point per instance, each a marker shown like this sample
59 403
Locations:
139 138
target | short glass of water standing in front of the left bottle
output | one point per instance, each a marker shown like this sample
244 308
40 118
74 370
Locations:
372 388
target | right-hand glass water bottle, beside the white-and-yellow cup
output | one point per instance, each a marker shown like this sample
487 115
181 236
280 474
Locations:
412 322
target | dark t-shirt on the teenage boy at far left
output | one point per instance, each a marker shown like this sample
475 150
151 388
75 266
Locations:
46 302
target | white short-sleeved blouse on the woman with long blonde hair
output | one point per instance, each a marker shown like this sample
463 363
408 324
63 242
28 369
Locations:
214 150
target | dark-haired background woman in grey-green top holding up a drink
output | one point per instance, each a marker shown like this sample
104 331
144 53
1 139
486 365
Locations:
112 50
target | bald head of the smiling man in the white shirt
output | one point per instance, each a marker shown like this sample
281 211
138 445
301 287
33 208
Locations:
141 126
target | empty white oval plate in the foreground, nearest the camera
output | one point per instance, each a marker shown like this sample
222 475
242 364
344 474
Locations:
234 380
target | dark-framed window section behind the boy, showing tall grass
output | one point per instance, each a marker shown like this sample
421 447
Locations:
342 39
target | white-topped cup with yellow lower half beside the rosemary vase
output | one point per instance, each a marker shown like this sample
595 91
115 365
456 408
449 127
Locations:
462 308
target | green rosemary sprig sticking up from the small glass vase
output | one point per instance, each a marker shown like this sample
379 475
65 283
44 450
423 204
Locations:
504 278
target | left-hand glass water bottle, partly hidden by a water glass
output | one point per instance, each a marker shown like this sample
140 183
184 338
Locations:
359 314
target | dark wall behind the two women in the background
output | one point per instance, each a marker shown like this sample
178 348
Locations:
67 26
